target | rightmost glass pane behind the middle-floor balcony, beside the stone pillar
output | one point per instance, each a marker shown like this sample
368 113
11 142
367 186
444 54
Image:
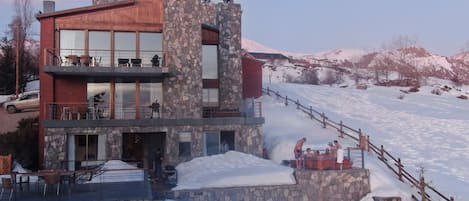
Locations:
149 92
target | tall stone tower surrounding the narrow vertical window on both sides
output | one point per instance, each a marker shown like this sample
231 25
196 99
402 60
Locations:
183 42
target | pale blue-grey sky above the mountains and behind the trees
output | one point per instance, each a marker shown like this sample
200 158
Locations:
309 26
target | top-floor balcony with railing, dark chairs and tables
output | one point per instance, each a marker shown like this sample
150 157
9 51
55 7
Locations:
106 63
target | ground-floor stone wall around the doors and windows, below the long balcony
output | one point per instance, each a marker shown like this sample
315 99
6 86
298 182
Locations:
248 139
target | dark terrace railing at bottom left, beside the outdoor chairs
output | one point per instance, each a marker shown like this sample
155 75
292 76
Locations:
97 184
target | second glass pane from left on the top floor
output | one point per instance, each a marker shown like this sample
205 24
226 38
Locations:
100 48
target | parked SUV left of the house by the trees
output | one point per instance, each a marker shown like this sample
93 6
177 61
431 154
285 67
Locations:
27 100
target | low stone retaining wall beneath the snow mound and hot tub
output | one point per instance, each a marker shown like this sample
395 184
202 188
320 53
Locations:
345 185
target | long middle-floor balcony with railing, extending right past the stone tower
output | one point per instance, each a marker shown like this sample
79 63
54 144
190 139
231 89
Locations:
63 115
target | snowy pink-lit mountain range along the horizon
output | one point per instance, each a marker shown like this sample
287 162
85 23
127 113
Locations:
415 63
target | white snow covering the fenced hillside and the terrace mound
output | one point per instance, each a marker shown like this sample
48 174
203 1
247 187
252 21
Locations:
425 130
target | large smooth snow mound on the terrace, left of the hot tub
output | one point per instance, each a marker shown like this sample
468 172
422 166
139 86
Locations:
231 169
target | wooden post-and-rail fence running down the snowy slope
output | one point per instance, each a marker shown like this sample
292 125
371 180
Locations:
364 142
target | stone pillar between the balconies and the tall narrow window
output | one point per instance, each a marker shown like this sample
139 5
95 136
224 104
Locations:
182 40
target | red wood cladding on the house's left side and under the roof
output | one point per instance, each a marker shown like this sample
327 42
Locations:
128 15
